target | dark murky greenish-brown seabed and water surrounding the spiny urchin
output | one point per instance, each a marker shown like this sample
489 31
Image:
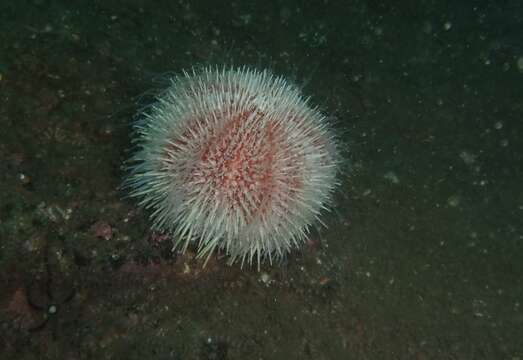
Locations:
422 259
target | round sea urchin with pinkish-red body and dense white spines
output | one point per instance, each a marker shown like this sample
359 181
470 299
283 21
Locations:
233 159
